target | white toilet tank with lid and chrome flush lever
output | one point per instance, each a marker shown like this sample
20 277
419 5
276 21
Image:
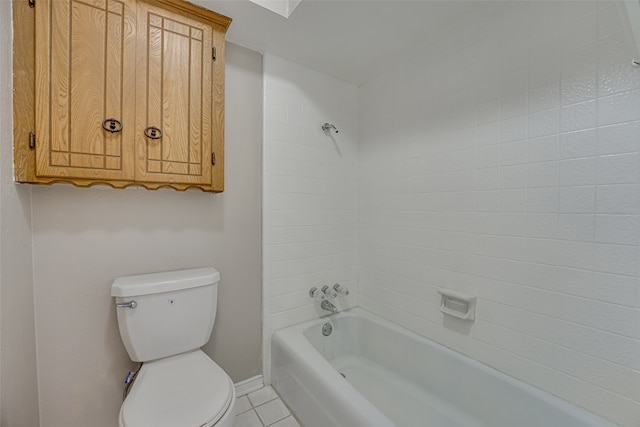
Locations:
174 311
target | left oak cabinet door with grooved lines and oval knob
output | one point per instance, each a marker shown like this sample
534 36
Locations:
85 52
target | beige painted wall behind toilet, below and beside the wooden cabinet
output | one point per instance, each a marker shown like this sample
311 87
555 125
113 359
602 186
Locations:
84 238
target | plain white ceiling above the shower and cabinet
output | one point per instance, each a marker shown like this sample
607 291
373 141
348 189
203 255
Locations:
350 40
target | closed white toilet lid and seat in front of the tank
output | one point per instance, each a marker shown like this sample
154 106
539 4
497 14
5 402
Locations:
187 390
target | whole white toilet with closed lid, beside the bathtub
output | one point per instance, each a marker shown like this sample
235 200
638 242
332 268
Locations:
164 319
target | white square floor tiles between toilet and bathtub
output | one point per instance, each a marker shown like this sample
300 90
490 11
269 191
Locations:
263 408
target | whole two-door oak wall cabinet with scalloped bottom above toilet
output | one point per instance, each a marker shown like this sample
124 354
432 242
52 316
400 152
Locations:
119 92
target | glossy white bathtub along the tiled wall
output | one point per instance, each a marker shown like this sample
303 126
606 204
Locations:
393 377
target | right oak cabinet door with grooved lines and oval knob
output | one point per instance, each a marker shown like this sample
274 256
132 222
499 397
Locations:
173 140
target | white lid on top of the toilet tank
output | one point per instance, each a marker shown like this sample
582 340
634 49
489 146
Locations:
168 281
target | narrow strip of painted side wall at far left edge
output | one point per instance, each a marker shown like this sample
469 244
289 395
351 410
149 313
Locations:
18 385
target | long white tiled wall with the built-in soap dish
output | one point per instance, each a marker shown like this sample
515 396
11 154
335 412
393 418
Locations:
502 160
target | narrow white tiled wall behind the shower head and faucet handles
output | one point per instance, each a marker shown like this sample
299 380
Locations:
310 192
